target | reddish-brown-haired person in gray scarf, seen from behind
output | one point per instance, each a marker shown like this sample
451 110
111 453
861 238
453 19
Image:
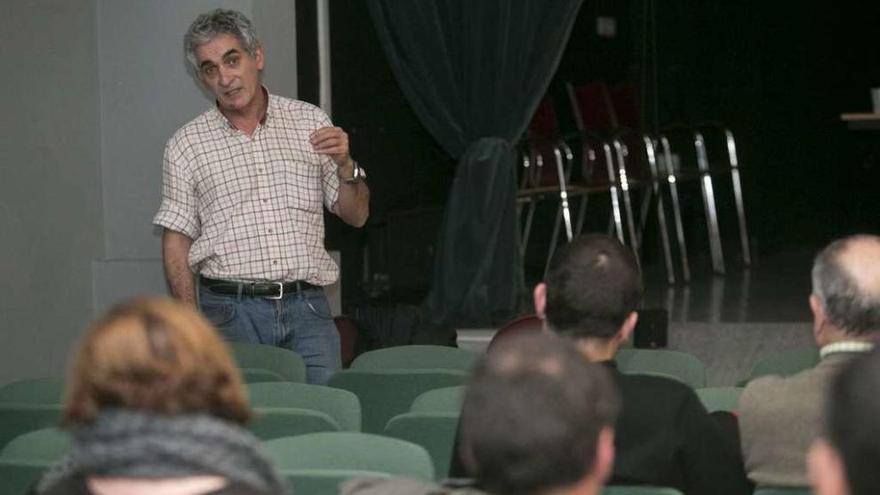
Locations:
155 406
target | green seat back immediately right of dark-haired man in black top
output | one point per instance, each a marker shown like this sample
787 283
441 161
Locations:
686 367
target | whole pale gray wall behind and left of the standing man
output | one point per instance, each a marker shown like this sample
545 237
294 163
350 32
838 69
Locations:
91 91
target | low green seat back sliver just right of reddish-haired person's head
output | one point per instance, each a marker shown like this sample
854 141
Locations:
277 422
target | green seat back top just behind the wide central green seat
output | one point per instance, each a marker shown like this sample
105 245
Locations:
416 357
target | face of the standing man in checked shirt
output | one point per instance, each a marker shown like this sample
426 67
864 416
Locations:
230 73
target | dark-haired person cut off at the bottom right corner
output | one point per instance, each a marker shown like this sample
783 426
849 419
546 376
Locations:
845 461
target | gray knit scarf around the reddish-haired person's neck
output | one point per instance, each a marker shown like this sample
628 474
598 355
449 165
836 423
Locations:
134 444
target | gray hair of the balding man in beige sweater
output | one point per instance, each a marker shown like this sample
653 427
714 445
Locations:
847 304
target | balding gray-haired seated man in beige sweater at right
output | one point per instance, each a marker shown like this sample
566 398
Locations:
781 416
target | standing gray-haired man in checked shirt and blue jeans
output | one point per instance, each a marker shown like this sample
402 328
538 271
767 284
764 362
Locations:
243 187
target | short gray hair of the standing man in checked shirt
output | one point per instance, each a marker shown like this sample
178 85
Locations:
218 22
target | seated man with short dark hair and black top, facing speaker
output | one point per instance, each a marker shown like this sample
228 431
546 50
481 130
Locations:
664 436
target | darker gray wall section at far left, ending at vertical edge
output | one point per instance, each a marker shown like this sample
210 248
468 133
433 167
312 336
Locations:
50 184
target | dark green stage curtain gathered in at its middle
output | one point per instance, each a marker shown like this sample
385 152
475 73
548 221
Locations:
474 71
